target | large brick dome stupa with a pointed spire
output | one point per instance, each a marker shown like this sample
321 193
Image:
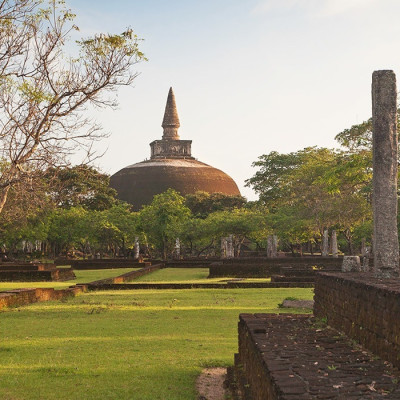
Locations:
171 166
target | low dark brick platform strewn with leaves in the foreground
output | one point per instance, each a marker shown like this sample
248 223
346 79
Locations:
295 357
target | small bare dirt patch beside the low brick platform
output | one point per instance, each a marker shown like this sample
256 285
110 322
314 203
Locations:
210 384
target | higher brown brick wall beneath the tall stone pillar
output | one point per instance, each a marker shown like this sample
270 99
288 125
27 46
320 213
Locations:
364 308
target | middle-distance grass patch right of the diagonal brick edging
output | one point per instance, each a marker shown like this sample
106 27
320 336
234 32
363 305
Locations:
186 275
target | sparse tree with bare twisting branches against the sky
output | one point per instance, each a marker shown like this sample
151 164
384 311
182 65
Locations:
44 92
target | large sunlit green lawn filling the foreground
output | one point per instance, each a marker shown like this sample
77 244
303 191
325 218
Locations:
133 345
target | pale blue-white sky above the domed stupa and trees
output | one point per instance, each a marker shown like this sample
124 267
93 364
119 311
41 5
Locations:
249 76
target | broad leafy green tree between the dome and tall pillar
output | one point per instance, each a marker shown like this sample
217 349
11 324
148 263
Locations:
314 189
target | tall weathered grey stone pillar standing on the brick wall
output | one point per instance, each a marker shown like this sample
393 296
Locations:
384 198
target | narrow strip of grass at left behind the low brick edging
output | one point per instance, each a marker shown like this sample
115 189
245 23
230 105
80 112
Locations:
82 276
